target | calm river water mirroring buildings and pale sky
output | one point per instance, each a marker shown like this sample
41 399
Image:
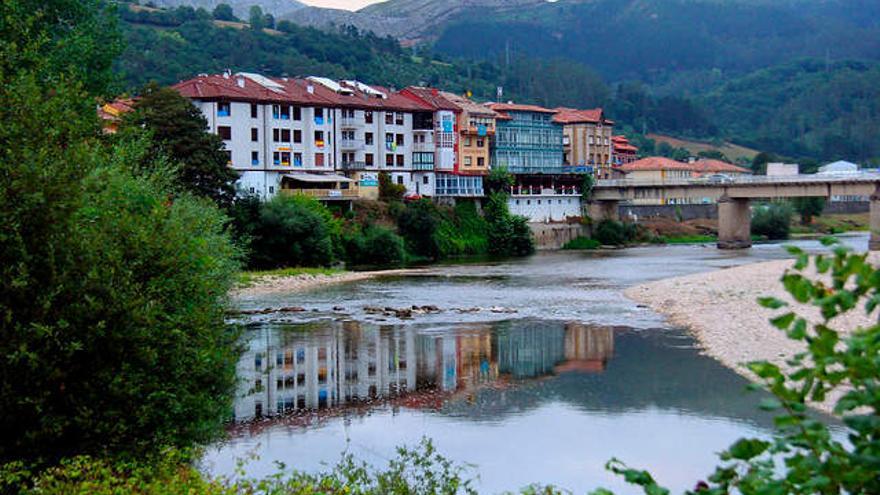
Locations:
534 370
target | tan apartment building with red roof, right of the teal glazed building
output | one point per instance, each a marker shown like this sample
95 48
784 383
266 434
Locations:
587 140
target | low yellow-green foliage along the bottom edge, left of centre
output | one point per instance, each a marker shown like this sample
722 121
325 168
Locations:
414 471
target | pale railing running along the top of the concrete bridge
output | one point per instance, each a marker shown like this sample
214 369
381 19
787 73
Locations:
749 180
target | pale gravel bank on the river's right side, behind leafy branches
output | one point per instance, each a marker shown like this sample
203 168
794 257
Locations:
721 310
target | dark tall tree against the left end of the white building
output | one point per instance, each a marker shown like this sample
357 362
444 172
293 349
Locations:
179 131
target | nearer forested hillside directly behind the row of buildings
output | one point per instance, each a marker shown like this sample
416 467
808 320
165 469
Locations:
806 109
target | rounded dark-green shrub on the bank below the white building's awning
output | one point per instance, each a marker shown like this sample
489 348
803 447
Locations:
293 231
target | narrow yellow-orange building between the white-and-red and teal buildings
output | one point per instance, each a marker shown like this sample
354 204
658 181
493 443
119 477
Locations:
476 125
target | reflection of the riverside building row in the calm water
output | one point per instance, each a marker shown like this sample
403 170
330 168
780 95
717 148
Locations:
298 369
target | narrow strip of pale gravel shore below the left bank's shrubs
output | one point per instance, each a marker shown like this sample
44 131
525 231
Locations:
272 284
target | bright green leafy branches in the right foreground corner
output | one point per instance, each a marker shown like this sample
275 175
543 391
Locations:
804 457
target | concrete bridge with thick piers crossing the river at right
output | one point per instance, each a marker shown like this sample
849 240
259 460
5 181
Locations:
734 196
